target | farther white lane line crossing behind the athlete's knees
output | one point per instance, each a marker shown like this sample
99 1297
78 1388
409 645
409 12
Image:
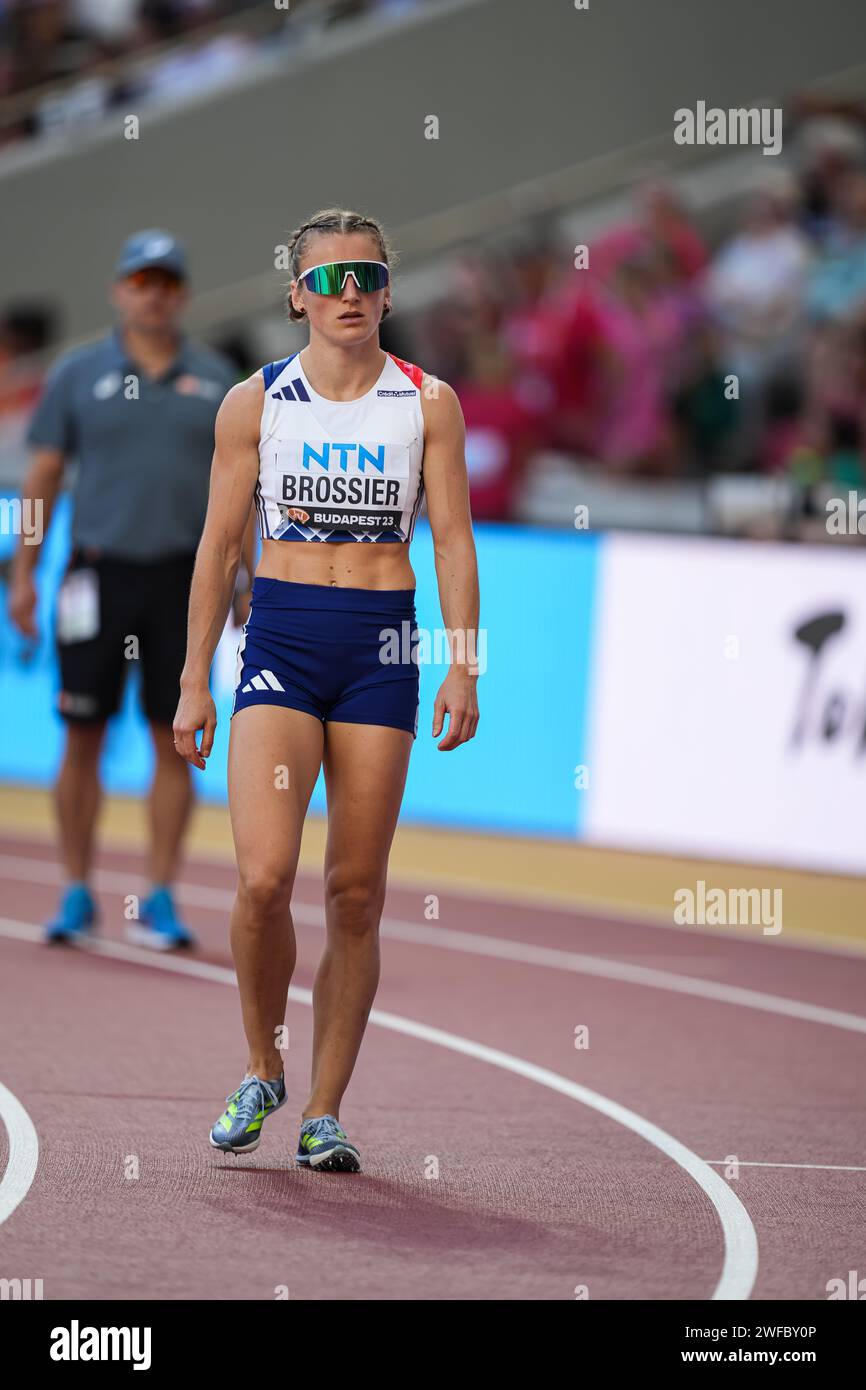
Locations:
501 949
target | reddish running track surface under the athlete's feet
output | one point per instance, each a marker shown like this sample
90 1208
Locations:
500 1160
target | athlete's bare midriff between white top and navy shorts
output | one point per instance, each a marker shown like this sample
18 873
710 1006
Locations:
343 564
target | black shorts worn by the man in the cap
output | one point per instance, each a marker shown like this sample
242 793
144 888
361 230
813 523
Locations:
141 625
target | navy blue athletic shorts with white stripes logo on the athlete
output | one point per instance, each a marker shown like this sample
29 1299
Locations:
338 654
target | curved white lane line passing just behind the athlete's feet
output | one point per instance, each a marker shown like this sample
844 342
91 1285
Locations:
740 1263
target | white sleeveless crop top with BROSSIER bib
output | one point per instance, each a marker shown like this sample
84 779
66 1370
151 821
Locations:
340 471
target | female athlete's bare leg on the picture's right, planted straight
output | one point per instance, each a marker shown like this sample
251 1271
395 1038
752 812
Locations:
365 775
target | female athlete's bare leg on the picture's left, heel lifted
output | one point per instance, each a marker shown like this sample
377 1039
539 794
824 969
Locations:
275 757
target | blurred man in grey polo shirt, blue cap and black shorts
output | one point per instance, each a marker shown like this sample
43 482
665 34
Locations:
137 412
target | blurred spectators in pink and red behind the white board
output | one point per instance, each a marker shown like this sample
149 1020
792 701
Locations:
660 354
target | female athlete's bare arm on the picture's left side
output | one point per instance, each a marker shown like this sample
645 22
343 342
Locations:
233 482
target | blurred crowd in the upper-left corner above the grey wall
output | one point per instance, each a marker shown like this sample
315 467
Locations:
70 62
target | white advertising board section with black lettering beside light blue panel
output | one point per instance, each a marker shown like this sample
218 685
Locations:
728 715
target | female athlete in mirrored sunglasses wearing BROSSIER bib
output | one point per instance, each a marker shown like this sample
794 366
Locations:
337 445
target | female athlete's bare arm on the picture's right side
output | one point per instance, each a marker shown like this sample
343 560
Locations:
447 487
